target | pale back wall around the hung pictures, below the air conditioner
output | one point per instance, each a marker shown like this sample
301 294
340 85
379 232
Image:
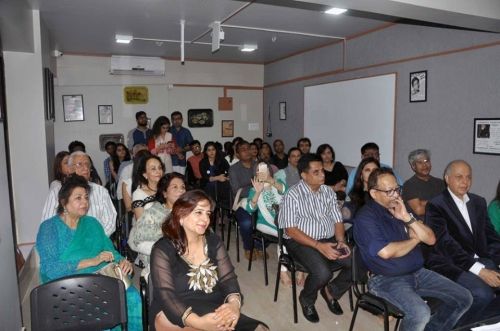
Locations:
90 77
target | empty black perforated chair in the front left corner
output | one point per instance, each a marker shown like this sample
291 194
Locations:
79 303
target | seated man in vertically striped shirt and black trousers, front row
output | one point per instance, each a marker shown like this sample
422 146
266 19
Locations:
314 235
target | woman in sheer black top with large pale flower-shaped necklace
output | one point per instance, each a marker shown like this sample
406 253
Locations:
194 284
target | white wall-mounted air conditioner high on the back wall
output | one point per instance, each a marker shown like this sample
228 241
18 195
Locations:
138 66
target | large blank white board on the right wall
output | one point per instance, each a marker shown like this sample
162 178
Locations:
348 114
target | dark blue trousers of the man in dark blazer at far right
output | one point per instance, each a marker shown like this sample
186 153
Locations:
486 304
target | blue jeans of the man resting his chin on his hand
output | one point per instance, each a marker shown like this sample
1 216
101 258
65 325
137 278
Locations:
406 292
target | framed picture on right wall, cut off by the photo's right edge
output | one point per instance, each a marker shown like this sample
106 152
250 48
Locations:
486 136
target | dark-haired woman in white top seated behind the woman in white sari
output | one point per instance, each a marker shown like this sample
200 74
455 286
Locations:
150 169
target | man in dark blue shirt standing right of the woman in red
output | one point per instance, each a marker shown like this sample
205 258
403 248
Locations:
183 138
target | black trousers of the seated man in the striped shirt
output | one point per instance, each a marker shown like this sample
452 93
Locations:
320 271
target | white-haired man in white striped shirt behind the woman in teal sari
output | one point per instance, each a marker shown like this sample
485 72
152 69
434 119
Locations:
100 204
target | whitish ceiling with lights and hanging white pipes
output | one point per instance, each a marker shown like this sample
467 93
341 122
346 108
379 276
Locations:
89 26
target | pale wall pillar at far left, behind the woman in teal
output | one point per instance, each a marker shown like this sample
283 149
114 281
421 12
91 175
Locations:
27 139
